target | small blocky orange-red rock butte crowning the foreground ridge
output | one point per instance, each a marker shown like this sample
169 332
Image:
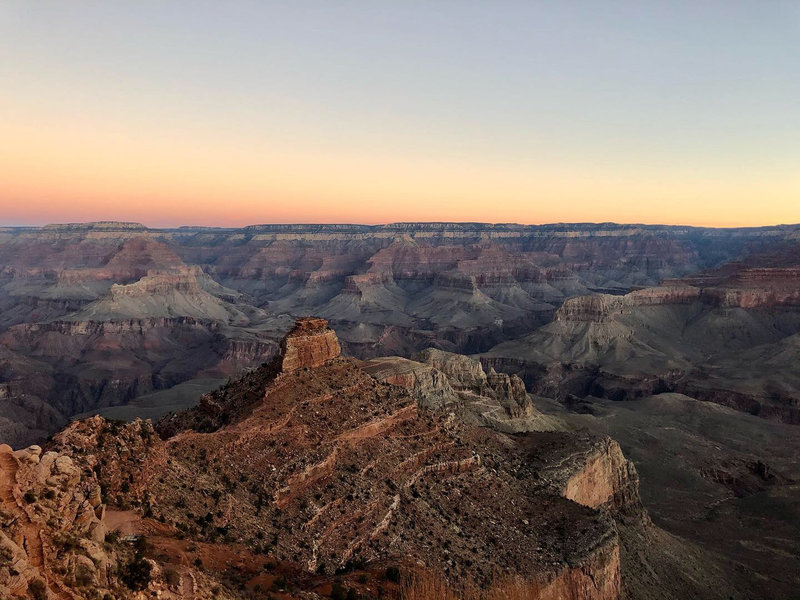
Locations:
310 343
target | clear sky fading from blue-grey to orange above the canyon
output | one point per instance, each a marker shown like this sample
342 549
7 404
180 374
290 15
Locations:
233 113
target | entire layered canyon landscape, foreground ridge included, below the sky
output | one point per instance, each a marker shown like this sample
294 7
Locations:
472 366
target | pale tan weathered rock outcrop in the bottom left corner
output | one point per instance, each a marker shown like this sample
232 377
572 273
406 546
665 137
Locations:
52 527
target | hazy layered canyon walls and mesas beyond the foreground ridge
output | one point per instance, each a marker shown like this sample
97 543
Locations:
97 315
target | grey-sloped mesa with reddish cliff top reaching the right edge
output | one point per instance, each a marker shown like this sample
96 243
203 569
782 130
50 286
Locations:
733 345
